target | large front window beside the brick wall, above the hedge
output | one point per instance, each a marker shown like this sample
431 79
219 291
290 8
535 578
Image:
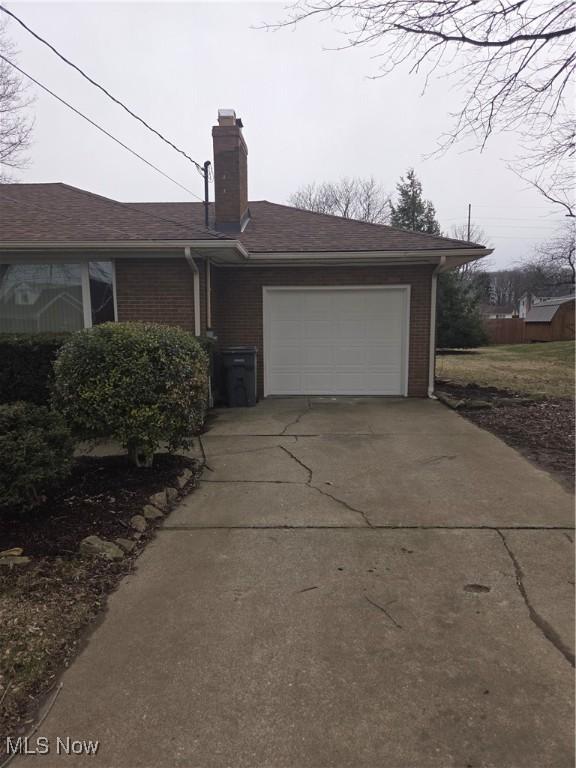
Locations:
55 297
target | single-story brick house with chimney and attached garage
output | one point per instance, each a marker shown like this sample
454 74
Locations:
333 306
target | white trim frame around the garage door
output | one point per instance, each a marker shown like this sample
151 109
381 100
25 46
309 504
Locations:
268 289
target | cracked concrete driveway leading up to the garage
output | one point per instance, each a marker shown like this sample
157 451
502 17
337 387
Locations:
357 582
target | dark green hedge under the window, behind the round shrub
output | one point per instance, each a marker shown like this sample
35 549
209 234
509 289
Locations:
26 366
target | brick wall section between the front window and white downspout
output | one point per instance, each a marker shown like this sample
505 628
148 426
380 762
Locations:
155 290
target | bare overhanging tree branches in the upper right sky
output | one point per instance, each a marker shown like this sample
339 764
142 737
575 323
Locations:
514 61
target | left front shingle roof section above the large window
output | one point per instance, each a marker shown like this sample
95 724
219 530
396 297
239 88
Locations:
61 213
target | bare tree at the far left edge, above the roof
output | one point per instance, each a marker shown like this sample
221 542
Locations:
15 121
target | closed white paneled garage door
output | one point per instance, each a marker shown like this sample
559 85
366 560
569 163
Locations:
336 341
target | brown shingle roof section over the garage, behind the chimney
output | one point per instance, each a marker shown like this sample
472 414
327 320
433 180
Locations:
280 228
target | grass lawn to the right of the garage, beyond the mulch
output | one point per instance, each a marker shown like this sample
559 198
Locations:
545 369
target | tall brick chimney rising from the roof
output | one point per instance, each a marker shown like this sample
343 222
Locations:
230 173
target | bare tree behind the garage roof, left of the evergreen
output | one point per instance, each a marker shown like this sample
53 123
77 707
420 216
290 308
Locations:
352 198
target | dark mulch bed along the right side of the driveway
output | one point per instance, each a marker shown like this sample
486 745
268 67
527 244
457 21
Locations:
542 429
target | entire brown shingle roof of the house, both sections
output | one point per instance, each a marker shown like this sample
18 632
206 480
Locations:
61 213
